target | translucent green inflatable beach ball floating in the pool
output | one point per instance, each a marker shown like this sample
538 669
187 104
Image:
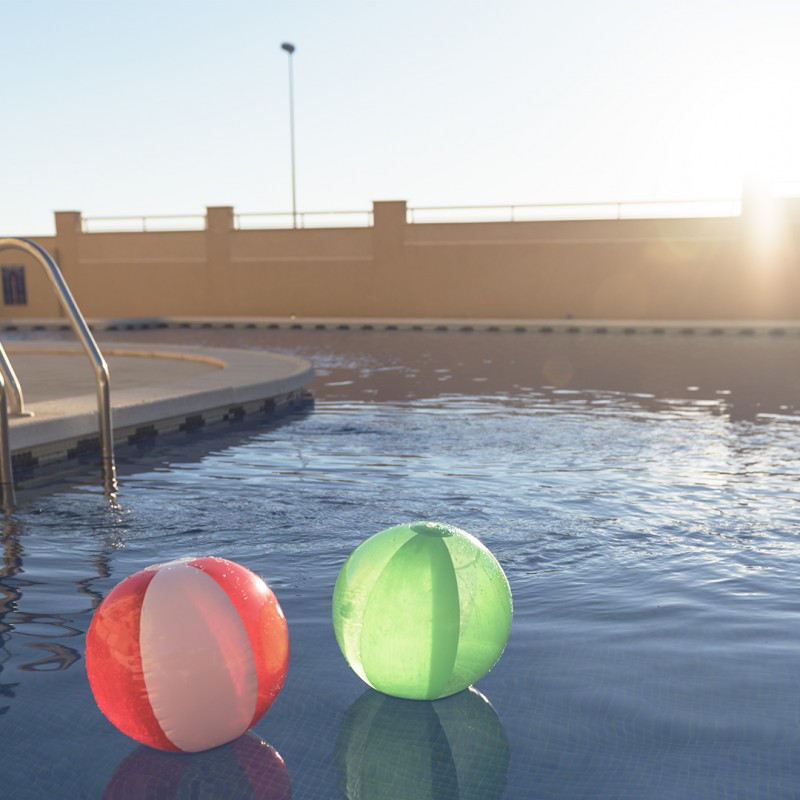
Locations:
421 610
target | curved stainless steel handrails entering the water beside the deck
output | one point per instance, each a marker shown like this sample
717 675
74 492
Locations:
80 327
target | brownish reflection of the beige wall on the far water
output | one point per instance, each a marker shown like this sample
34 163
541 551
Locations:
740 376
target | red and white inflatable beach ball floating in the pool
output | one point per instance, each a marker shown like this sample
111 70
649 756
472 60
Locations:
187 655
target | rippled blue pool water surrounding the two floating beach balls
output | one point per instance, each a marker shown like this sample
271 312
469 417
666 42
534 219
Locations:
641 493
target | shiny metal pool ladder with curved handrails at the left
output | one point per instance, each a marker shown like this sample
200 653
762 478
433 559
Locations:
11 400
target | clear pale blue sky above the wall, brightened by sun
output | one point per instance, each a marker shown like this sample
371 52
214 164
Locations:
115 107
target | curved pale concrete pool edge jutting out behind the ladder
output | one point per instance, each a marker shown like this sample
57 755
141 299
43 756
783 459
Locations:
231 385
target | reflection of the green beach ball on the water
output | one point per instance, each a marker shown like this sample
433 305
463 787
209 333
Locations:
450 749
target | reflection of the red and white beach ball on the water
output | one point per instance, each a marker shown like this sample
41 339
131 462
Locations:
246 769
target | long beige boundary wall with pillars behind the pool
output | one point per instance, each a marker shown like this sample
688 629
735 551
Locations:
614 269
